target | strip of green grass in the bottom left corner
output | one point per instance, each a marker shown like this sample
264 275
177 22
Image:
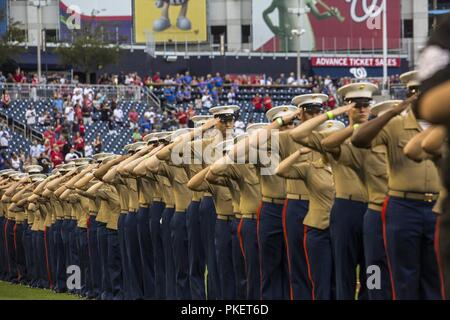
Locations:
18 292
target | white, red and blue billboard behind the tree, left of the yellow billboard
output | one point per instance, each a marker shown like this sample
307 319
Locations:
113 16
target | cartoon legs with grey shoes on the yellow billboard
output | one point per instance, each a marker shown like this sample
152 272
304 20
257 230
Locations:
163 23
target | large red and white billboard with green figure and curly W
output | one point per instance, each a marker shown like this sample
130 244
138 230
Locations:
327 24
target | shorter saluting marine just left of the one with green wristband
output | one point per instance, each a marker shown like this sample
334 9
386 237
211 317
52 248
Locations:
318 178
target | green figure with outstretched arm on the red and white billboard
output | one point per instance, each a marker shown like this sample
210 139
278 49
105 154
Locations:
290 17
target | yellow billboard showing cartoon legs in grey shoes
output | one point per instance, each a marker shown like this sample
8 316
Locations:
170 20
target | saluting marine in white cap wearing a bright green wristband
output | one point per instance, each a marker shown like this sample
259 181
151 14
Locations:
350 205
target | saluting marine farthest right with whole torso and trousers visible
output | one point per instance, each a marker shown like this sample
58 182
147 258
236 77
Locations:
408 220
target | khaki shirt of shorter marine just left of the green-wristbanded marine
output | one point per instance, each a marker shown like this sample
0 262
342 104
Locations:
319 180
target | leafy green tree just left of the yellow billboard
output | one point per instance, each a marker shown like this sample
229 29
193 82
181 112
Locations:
90 50
